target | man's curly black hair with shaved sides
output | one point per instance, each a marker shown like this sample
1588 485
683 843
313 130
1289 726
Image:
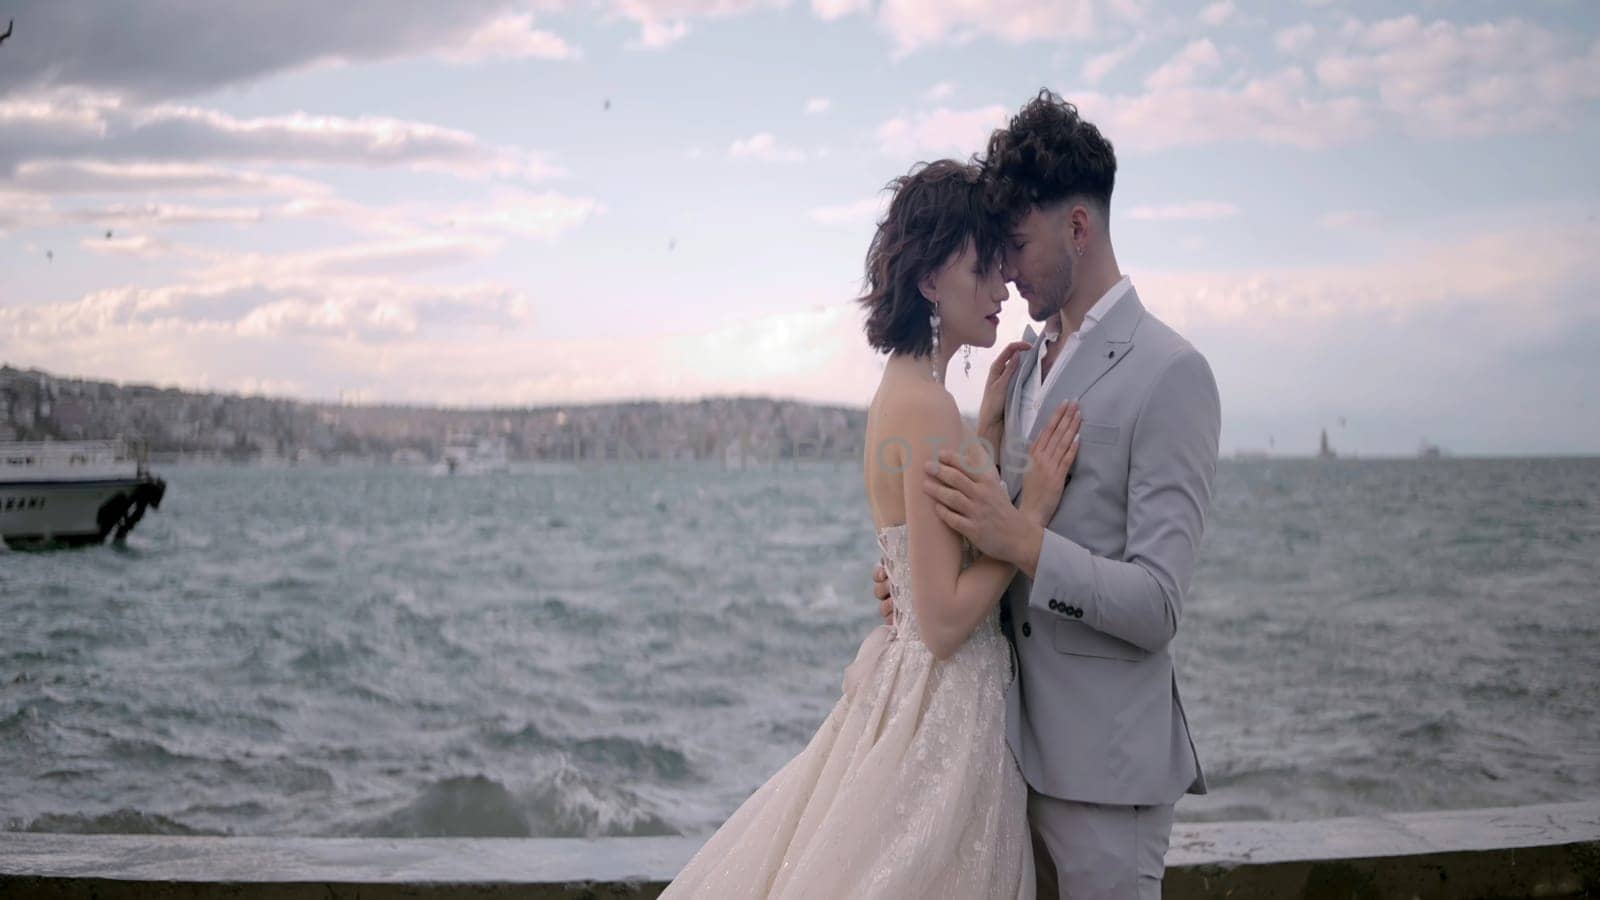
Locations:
1049 153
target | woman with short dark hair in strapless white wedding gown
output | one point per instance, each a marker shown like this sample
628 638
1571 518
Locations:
908 790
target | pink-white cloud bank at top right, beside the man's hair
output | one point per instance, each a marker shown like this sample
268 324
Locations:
1393 76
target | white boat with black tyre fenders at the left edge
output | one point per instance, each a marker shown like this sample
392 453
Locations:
73 492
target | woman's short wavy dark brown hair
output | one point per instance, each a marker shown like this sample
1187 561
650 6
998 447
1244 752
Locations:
937 209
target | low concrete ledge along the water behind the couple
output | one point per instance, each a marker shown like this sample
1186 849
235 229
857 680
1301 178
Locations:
1537 851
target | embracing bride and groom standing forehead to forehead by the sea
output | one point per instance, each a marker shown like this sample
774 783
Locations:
1014 729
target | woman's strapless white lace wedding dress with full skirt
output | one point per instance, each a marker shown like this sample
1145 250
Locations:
908 792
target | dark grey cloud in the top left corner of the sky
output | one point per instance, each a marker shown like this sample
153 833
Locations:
172 49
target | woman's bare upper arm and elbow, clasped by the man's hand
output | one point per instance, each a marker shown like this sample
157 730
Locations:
950 601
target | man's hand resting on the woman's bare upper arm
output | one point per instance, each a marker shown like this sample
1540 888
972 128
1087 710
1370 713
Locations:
975 504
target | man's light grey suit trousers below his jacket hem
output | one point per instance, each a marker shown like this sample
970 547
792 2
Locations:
1097 851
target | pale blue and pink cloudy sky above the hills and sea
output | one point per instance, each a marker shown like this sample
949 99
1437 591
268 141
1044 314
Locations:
1372 219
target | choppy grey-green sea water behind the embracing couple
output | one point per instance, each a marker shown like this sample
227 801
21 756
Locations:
634 649
